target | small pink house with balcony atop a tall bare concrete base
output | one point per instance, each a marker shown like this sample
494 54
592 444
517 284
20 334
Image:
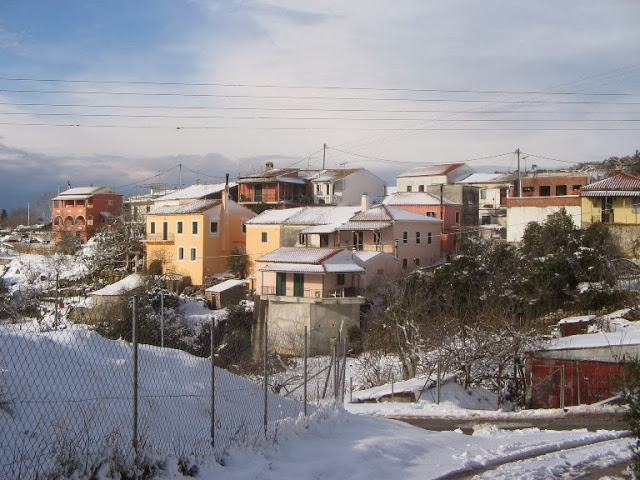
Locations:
316 288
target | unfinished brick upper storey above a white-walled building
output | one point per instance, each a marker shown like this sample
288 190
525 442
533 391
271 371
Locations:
542 195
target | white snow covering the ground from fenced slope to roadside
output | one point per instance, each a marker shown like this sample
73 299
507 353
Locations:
65 401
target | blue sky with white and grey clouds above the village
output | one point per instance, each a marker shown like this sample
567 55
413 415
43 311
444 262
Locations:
137 94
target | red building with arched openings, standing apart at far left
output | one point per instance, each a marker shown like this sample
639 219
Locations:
81 211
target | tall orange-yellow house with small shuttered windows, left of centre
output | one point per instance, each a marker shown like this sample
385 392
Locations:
195 240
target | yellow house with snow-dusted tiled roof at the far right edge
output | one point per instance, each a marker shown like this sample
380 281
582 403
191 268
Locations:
612 200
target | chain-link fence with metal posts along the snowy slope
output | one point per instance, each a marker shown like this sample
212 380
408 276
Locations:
71 400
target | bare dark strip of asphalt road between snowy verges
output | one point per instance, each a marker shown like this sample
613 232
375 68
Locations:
568 421
